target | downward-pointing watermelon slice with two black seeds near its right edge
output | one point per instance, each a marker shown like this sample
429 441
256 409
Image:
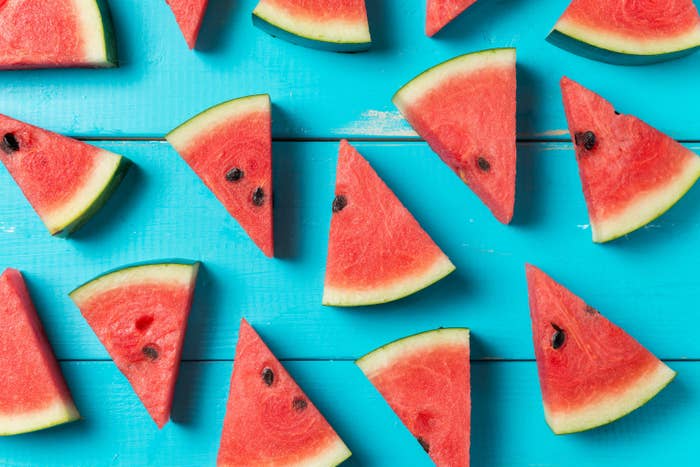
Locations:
230 147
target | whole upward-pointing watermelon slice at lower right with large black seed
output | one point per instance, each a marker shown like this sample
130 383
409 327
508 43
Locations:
591 371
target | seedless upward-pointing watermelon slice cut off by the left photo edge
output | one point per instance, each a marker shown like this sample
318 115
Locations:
33 394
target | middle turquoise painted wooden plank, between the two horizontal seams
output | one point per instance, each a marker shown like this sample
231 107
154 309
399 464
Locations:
647 282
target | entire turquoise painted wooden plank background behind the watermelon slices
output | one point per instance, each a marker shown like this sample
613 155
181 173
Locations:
646 282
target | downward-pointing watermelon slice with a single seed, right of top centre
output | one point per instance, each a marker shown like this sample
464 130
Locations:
465 109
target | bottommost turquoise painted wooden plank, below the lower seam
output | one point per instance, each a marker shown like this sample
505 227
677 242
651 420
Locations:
508 427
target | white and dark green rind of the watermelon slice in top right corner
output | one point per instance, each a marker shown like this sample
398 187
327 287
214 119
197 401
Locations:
618 50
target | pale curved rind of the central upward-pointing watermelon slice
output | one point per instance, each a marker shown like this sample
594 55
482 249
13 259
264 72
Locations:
343 297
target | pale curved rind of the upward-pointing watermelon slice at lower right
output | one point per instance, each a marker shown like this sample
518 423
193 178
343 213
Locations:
647 387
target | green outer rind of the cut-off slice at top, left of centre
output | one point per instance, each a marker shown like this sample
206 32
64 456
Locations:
297 34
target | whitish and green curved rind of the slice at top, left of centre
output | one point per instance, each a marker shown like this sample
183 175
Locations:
334 36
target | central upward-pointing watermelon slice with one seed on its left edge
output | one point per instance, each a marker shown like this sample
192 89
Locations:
377 251
